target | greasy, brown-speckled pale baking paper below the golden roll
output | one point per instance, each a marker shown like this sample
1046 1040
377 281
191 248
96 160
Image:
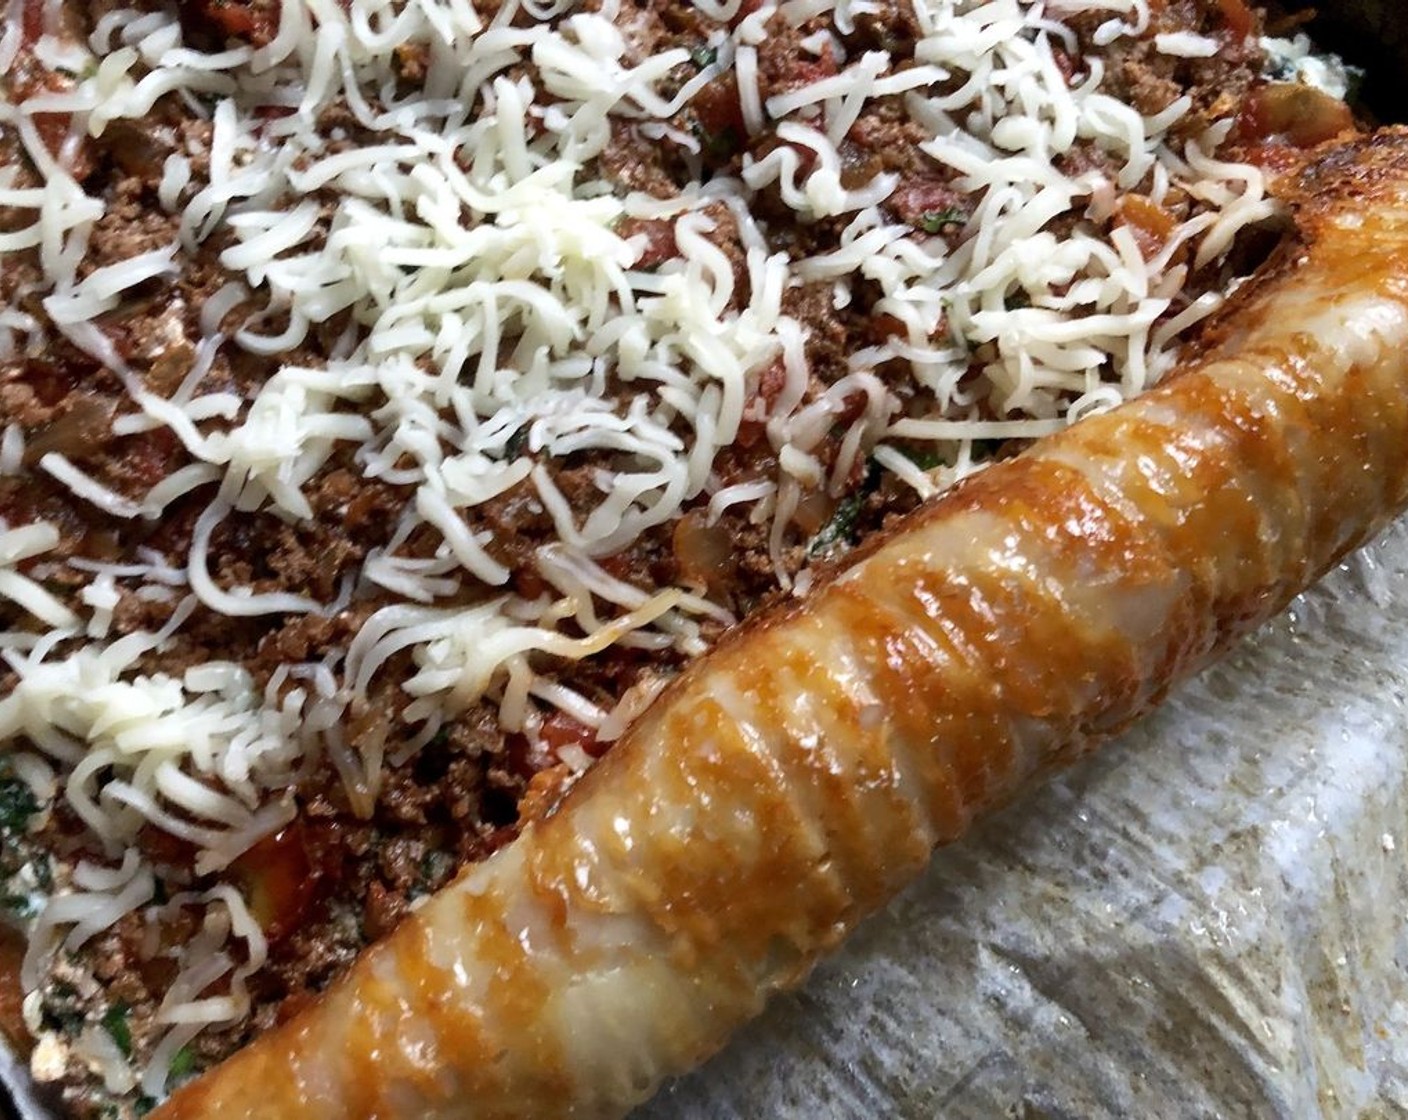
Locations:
1206 919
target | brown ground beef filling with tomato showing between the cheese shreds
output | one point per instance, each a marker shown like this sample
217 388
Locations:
340 876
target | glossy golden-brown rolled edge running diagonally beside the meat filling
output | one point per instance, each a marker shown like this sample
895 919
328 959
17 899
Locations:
802 774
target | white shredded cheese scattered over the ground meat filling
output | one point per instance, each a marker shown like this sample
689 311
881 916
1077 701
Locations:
495 309
